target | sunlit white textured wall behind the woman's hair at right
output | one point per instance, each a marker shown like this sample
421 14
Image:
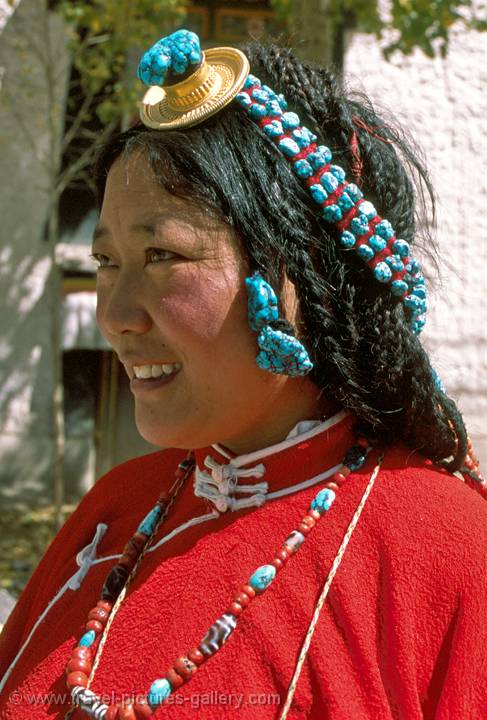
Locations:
444 104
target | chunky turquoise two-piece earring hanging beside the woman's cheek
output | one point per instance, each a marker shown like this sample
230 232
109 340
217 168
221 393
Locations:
280 353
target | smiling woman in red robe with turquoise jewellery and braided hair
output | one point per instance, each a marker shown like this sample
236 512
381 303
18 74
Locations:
233 226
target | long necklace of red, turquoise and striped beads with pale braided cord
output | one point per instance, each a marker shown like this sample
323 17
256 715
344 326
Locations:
86 655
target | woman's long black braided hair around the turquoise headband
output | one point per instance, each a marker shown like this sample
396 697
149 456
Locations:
358 335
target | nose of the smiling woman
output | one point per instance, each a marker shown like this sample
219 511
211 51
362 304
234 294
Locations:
121 307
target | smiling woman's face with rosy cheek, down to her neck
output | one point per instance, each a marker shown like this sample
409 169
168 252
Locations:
172 300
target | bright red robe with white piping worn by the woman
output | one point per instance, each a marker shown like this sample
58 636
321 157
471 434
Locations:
402 634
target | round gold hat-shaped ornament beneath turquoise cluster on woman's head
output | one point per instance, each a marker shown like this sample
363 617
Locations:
218 79
